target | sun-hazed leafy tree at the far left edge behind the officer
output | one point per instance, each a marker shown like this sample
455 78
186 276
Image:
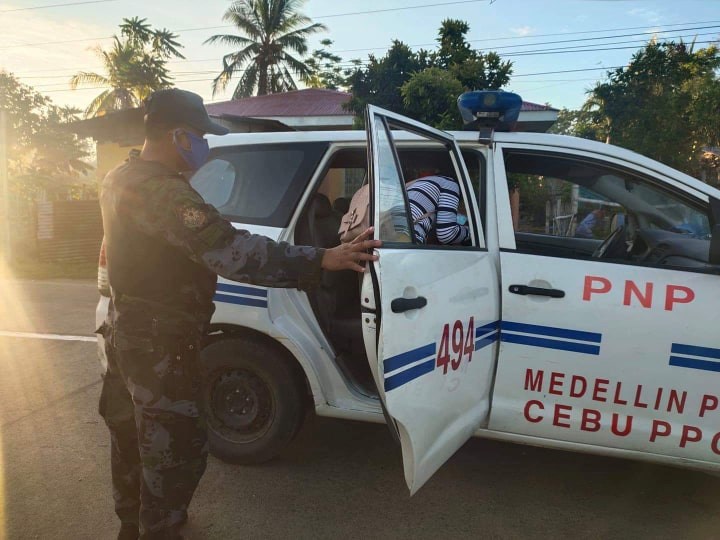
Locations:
42 154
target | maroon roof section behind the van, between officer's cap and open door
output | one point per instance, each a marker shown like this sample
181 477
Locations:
308 102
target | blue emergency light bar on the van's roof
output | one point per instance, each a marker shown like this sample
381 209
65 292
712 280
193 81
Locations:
494 109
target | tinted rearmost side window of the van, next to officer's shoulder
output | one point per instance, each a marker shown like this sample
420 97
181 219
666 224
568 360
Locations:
258 184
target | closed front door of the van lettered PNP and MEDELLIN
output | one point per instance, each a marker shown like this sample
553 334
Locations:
608 333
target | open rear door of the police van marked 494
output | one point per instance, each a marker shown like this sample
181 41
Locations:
433 354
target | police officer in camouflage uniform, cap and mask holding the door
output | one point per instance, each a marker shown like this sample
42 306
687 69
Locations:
165 248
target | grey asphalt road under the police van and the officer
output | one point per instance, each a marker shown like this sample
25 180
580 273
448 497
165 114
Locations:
338 480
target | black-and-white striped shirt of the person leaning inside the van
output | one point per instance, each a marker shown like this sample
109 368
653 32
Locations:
439 197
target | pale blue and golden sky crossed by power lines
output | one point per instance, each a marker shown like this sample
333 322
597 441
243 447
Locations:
560 48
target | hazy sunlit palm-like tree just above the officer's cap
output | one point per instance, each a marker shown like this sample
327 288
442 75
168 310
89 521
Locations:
134 66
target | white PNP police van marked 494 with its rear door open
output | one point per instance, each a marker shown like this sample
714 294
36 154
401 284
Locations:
533 333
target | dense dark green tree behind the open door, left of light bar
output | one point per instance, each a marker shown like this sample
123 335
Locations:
395 81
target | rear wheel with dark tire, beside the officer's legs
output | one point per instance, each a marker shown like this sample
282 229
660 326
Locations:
254 400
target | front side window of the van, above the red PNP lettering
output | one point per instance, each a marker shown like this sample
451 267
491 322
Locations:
570 207
